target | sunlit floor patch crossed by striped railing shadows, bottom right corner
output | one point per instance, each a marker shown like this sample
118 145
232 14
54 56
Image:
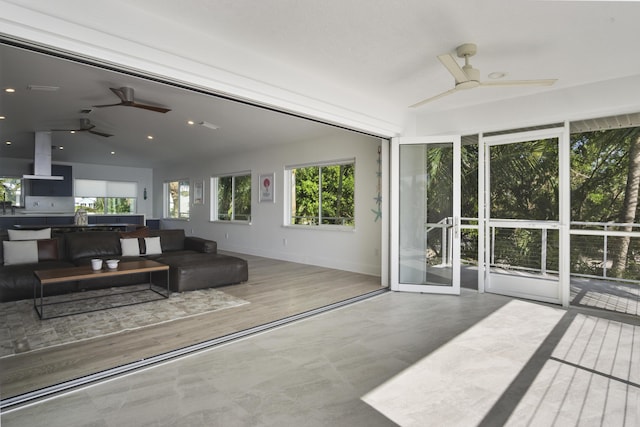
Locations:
592 378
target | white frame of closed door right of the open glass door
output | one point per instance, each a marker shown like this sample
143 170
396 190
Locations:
561 296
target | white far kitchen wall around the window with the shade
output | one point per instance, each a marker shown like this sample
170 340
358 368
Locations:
143 176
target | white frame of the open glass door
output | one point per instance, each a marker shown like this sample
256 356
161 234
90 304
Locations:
394 263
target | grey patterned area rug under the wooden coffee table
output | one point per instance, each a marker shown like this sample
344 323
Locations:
22 331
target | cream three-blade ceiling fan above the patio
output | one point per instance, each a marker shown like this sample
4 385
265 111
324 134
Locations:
467 77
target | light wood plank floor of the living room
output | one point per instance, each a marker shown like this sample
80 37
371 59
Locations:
275 290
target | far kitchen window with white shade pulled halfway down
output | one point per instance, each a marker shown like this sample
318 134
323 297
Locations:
105 197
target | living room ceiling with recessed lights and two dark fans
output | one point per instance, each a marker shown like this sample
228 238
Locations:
241 127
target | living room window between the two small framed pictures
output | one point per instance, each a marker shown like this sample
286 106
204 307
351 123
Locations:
232 197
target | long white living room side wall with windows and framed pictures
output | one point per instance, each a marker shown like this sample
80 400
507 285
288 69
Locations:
357 250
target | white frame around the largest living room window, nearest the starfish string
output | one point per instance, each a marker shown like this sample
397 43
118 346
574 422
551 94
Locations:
288 196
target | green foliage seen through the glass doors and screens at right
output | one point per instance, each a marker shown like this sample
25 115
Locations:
525 185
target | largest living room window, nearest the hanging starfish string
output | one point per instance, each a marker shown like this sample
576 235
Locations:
322 194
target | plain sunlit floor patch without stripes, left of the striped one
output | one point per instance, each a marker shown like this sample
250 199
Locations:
460 382
